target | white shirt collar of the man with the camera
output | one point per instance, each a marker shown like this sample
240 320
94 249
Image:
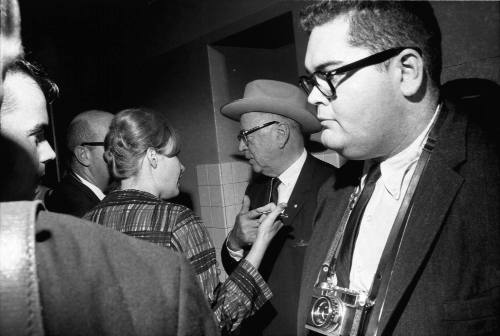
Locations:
394 169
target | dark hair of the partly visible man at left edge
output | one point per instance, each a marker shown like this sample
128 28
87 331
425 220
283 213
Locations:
38 74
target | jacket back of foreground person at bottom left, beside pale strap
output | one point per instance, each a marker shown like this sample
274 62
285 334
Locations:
96 281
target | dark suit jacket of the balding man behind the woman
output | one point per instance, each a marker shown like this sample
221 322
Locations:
71 197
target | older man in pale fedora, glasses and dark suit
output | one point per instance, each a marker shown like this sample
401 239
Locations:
274 118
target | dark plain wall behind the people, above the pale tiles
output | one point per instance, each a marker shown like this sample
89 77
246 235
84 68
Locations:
99 52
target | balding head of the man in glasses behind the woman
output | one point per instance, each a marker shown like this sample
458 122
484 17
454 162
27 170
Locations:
85 140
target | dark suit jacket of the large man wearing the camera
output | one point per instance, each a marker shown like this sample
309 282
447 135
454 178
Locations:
446 277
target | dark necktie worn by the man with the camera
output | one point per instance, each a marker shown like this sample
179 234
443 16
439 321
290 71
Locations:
344 259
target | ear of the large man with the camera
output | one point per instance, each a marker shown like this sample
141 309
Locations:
411 70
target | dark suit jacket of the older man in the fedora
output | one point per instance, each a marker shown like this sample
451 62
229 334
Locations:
281 266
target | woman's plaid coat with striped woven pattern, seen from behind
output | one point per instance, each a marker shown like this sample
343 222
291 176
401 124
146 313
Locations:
145 216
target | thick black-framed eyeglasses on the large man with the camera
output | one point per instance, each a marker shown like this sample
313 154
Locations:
324 80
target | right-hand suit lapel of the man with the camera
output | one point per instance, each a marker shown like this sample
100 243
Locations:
434 195
